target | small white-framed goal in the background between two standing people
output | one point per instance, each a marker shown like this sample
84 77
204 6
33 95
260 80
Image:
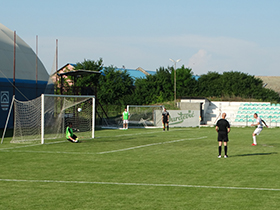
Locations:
145 115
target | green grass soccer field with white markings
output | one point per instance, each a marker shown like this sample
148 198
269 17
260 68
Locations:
144 169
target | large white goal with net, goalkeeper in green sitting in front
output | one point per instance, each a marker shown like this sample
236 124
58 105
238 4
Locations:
46 117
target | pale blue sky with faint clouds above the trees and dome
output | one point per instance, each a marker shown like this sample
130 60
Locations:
207 35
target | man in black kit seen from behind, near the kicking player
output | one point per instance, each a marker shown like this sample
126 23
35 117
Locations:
223 128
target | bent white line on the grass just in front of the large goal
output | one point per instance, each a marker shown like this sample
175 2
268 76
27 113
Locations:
106 152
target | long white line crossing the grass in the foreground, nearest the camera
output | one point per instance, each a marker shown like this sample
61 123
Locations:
139 184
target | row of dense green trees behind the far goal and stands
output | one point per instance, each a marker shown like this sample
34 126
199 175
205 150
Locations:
117 87
